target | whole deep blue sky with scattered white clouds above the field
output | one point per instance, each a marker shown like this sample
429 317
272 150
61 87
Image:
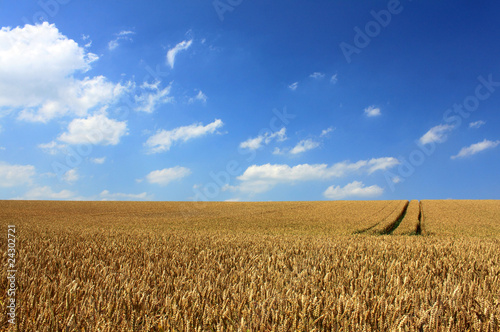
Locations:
249 100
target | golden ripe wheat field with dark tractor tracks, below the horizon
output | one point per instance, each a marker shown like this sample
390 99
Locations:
266 266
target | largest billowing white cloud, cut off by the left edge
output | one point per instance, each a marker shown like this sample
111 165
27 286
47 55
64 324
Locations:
38 65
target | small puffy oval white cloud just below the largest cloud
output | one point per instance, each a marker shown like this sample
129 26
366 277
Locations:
97 129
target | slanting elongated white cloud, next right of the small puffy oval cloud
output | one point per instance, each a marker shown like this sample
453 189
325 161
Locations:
163 139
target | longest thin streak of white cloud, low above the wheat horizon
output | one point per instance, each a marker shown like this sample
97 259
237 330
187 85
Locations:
258 179
